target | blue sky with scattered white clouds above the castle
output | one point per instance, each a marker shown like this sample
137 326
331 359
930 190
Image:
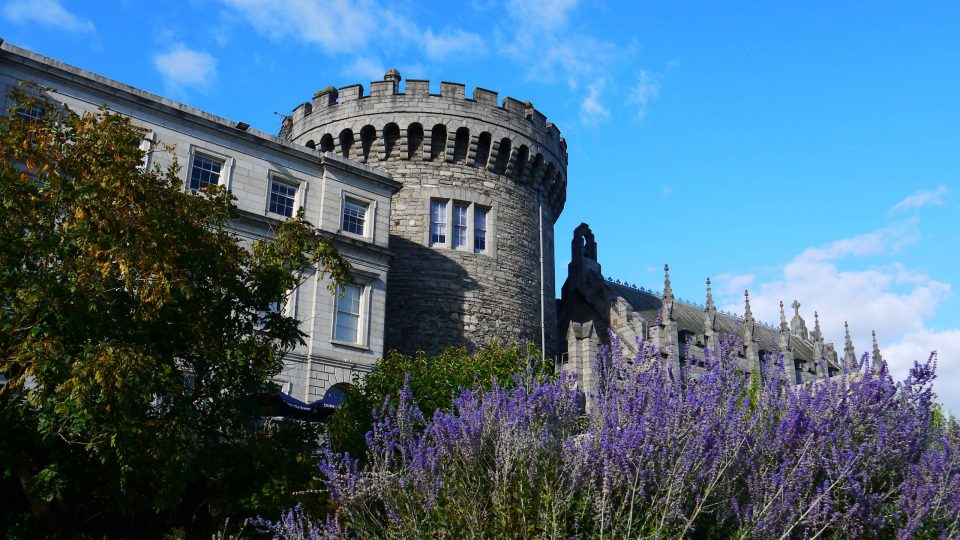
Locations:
801 151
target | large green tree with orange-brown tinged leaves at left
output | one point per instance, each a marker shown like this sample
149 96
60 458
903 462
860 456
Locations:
136 337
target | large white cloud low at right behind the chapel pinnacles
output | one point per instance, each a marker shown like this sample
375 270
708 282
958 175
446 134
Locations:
893 299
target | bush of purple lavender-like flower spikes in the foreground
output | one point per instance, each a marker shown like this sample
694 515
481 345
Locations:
718 453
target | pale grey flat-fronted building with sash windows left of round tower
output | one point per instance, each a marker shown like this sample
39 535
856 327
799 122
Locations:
270 177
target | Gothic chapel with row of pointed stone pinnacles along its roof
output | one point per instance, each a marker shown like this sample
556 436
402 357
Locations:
593 308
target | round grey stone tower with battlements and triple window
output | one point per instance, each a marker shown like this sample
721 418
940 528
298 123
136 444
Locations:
472 227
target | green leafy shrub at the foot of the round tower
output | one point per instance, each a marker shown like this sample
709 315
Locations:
436 381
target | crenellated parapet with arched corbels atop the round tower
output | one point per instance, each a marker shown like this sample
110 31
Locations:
509 138
